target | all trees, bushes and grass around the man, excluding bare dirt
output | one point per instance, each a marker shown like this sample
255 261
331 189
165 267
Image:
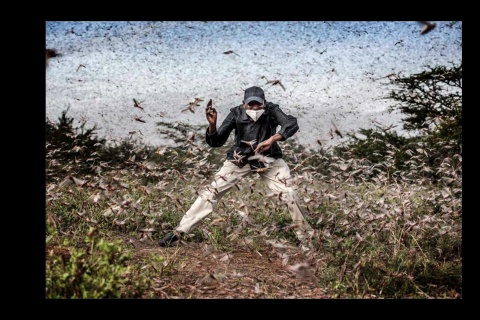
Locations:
387 210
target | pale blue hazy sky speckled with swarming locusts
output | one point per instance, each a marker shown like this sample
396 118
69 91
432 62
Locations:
331 70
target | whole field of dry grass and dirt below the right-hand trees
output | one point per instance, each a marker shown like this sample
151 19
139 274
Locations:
377 234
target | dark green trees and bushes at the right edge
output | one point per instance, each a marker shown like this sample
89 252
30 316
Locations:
432 103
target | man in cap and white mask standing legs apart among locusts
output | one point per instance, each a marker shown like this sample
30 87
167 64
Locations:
255 150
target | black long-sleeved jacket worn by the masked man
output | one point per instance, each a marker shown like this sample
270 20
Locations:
246 129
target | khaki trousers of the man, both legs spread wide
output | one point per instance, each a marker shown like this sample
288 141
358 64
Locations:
277 178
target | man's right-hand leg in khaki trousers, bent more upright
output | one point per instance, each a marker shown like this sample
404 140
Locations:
278 179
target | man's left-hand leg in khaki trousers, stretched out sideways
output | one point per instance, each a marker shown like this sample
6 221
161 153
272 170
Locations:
225 179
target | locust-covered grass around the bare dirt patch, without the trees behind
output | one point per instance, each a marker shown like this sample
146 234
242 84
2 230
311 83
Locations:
386 240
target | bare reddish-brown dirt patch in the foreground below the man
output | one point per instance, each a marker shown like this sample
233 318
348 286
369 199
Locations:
196 270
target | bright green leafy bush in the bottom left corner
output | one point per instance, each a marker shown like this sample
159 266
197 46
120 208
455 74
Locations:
97 272
